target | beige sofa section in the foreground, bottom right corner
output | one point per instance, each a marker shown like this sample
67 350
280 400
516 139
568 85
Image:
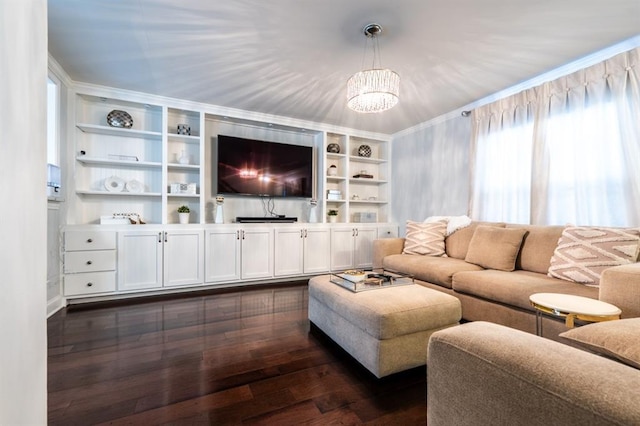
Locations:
486 374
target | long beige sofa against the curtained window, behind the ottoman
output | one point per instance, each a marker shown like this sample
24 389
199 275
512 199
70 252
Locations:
502 296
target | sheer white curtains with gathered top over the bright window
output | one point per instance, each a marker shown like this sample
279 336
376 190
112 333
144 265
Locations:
584 150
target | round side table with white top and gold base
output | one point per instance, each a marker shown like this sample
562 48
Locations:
571 308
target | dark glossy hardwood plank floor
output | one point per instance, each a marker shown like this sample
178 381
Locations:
238 357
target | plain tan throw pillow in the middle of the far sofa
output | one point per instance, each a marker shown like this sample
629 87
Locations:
495 248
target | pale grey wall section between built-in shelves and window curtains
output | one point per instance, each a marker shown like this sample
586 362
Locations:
430 171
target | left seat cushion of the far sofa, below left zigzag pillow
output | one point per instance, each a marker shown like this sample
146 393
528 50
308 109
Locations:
435 270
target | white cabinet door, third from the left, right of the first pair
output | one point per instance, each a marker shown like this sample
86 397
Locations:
222 255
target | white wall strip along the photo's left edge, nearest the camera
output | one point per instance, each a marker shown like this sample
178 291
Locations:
23 217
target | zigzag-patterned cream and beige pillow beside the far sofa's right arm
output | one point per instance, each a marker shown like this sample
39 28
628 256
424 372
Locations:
584 252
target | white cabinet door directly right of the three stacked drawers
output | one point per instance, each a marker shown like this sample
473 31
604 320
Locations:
139 260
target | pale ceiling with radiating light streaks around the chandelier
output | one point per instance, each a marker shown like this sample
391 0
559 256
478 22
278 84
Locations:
292 58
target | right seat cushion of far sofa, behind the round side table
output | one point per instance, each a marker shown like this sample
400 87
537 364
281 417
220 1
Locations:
514 288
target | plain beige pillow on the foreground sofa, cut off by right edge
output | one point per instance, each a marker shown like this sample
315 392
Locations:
619 339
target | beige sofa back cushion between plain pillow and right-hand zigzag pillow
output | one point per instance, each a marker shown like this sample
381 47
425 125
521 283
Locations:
538 246
